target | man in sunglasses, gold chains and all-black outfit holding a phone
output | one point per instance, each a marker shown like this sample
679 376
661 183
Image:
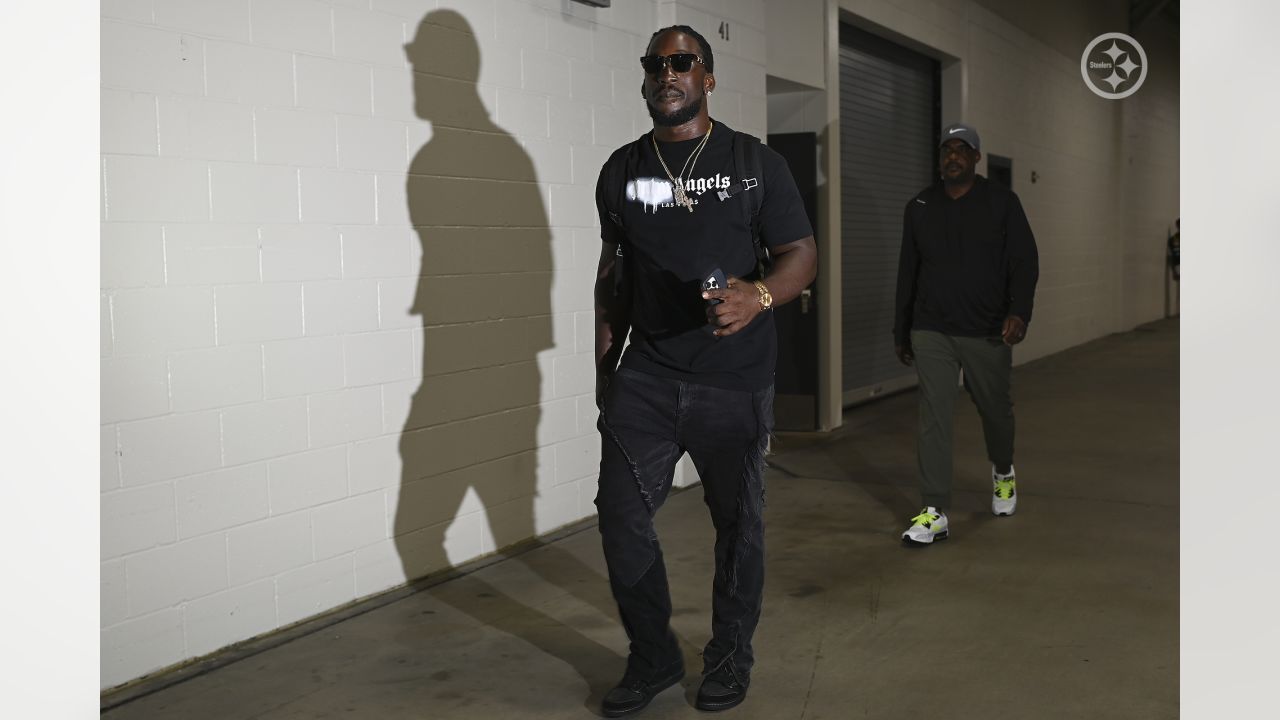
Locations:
698 373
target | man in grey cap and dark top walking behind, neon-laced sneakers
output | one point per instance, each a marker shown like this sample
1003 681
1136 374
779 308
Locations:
966 284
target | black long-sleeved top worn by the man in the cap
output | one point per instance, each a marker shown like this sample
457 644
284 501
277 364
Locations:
966 265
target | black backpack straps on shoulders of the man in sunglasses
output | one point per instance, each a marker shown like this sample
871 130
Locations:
621 168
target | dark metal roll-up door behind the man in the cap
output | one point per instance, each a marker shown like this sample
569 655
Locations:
889 125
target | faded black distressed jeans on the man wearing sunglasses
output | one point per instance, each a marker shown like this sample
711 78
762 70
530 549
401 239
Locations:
647 425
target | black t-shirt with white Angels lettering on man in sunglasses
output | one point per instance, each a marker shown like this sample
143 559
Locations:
670 250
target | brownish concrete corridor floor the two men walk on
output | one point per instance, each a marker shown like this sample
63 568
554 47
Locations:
1067 610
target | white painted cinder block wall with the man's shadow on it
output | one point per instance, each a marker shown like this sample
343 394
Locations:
346 291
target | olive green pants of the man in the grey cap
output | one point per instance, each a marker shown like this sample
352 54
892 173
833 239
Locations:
988 364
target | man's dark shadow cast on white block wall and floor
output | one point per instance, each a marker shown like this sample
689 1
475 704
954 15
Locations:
484 300
